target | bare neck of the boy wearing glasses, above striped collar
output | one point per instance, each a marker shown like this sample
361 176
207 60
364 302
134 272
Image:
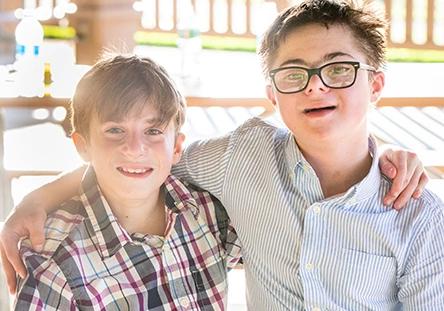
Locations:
338 166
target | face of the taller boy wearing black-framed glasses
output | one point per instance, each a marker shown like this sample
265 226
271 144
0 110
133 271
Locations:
319 114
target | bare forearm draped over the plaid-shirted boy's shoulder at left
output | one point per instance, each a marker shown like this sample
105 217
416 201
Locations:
55 193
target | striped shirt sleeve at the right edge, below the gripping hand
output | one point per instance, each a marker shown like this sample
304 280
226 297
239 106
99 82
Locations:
422 285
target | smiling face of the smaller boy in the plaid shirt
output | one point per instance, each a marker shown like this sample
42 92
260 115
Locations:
132 157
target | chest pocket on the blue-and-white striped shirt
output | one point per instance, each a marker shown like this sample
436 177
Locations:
367 280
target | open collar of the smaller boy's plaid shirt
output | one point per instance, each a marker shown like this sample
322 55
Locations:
111 237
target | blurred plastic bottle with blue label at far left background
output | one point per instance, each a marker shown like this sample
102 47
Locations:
29 37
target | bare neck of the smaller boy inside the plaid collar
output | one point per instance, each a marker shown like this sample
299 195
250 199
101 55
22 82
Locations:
141 216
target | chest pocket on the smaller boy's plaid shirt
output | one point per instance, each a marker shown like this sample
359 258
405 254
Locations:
210 284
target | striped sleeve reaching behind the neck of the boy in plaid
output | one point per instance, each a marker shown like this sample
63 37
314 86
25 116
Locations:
203 163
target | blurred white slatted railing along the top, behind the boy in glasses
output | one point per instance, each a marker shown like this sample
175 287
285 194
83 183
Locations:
415 24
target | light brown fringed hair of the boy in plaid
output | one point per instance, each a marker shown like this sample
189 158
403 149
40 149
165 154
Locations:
117 84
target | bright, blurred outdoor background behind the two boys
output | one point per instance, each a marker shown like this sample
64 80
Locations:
209 47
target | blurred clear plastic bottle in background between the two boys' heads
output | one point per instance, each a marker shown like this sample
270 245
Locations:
189 42
